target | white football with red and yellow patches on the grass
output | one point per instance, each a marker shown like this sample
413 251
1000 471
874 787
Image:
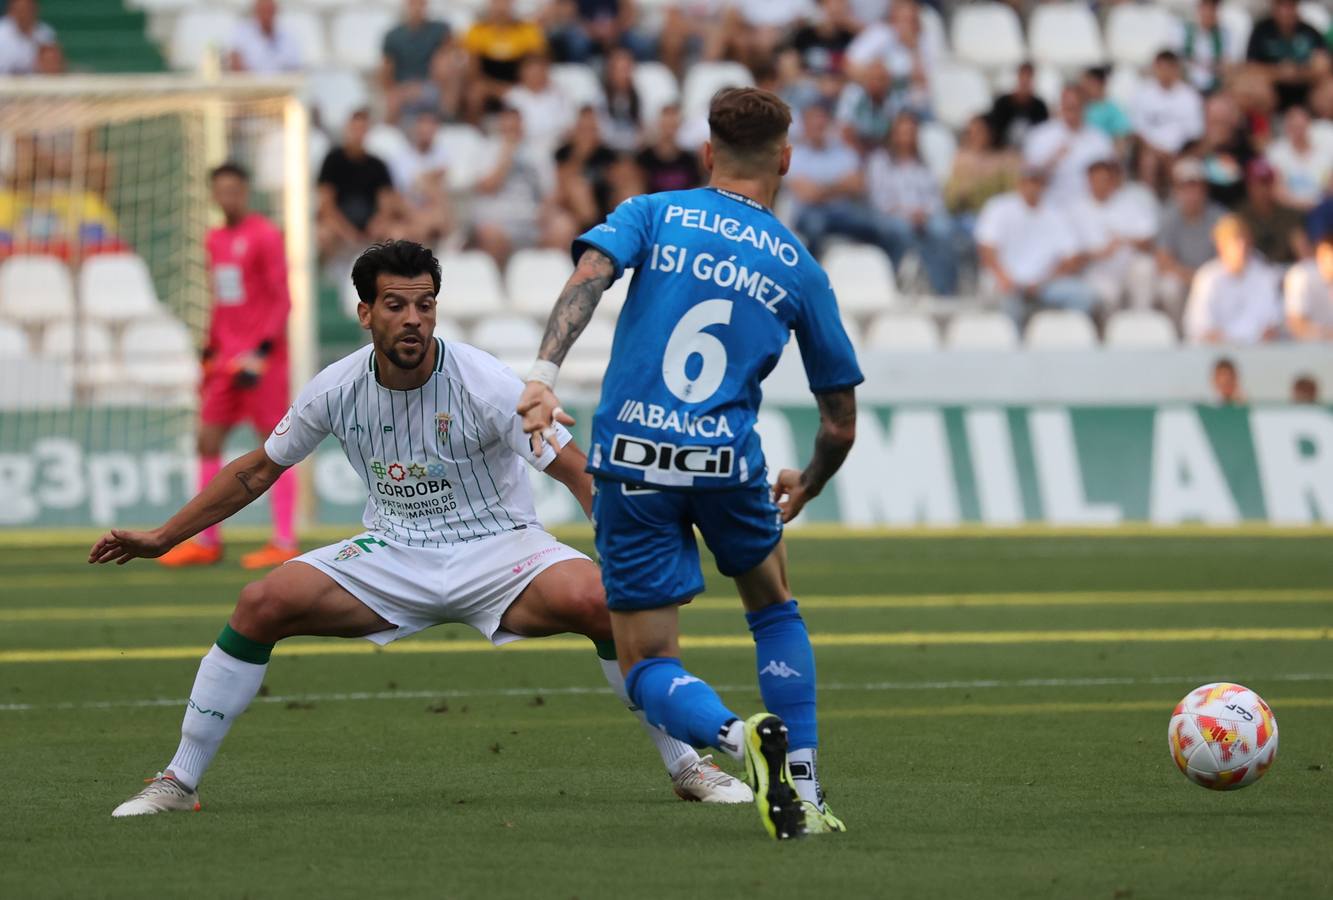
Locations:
1223 737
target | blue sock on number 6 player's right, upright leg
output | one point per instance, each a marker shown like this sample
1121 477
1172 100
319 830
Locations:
787 671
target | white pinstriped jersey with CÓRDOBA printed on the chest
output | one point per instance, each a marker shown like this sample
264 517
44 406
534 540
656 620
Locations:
443 463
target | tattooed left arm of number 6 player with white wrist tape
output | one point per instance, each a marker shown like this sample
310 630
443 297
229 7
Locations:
538 406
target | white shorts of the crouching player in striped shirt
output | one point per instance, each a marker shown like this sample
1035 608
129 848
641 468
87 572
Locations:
418 587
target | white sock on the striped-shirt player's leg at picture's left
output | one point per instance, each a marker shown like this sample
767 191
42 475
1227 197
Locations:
223 689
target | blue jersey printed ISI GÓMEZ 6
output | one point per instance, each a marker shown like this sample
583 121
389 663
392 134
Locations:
719 287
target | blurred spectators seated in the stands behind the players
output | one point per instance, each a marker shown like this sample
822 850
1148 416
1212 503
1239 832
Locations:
1204 191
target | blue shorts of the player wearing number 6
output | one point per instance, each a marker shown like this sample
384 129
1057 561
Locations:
646 539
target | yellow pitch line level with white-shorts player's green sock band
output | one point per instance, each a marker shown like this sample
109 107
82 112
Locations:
553 645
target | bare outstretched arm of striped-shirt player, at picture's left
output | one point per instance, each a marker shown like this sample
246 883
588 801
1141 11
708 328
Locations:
242 482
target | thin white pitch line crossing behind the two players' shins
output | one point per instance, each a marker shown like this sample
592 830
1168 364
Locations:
527 693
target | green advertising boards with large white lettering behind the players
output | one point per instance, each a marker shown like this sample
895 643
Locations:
947 466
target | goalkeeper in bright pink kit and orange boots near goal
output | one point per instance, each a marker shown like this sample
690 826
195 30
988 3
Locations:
245 361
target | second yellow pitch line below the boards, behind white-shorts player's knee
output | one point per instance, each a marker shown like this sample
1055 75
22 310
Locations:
812 602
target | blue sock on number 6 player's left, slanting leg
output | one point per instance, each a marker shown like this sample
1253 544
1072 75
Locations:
676 702
